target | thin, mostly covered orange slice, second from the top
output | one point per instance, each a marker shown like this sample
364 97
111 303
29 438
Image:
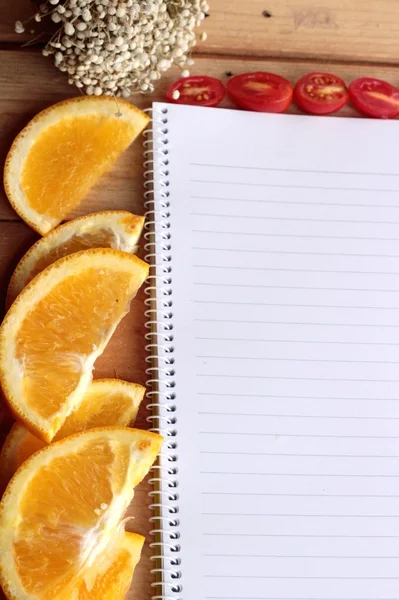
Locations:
116 229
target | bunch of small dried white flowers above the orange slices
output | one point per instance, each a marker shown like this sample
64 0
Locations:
116 47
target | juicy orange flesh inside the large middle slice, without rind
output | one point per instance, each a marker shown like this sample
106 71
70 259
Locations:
61 334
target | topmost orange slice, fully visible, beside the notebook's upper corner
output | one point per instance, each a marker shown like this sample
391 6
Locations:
62 153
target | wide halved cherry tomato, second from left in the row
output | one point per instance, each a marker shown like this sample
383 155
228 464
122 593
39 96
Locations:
260 91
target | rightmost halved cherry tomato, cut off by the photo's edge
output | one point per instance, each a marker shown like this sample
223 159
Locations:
374 98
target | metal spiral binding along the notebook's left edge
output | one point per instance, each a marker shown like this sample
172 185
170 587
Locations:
160 358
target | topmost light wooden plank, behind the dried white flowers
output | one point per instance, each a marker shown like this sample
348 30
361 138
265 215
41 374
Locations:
363 30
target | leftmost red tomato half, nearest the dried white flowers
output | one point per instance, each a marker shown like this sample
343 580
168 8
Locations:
198 90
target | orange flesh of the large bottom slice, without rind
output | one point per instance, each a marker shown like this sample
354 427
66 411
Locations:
54 564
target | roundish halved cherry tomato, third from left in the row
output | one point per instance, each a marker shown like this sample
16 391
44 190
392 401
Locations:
320 93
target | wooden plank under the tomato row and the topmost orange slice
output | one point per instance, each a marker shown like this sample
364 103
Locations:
38 84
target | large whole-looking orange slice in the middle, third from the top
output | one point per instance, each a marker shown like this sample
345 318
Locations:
57 327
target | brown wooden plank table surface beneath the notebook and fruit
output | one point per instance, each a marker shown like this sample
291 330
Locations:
290 37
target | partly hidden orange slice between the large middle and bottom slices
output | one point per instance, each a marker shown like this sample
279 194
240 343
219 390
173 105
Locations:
106 402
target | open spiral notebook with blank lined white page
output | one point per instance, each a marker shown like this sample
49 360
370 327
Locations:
273 324
